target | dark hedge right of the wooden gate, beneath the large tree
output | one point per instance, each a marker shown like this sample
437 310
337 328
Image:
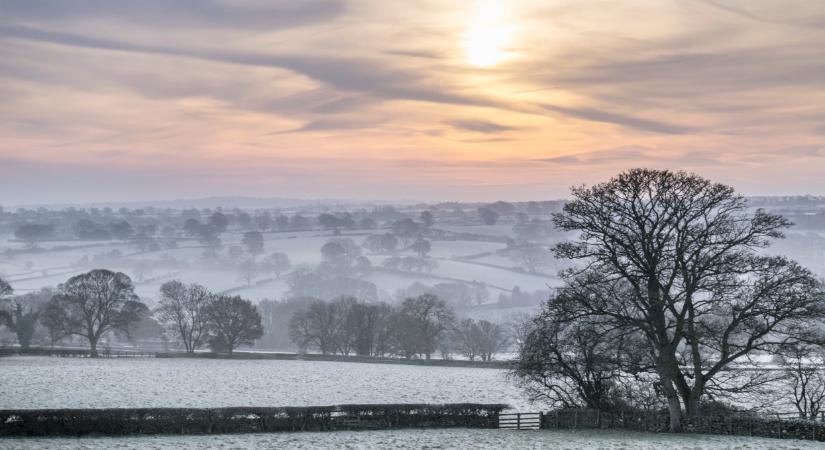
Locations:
659 422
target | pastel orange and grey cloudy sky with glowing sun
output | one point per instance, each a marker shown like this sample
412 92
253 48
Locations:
120 100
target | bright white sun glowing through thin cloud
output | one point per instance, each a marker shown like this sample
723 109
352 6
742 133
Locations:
487 36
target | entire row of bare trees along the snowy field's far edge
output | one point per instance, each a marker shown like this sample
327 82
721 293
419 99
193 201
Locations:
101 304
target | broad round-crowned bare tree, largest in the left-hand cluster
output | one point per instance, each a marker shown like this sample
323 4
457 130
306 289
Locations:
94 303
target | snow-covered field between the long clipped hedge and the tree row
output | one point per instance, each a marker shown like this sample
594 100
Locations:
41 382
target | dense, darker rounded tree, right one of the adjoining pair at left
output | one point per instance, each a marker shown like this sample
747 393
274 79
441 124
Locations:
233 322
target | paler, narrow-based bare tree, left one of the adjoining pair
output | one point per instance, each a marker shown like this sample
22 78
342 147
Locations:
183 307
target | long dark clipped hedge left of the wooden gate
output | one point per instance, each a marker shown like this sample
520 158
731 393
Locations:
129 421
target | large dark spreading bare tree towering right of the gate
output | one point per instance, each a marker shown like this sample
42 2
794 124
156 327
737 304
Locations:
677 258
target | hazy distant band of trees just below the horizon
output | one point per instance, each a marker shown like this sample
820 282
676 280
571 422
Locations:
157 228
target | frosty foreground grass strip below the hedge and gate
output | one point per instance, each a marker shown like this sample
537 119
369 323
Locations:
455 438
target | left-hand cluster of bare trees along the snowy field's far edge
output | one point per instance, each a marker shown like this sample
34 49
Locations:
95 305
